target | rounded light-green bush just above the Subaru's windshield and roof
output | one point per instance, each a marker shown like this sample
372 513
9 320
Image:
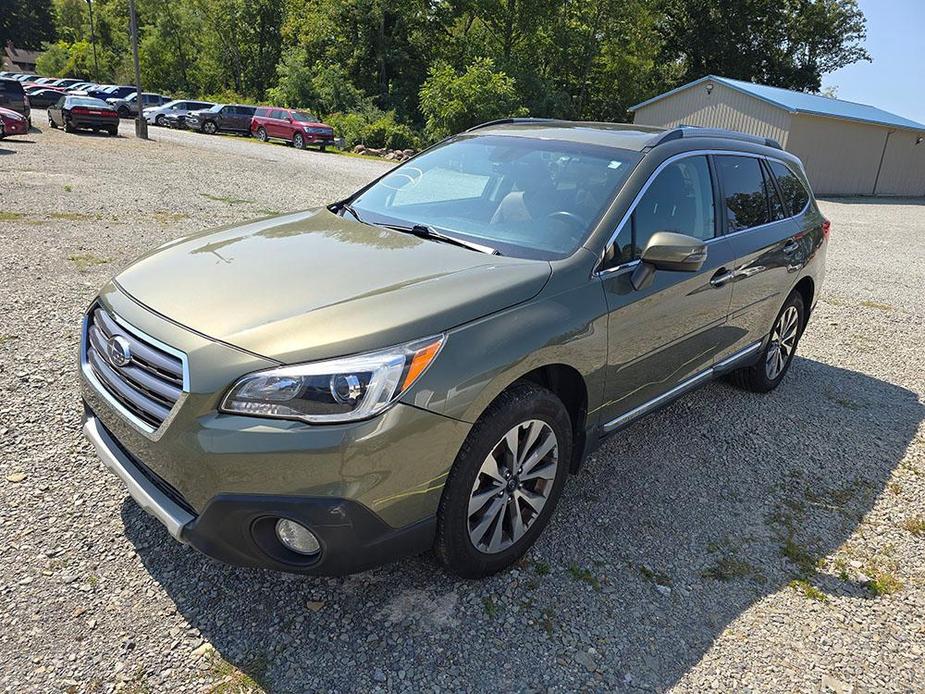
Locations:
452 102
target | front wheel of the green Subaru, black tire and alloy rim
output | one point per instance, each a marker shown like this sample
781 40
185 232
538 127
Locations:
505 482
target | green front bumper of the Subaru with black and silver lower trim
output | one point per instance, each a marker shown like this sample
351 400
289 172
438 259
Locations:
369 490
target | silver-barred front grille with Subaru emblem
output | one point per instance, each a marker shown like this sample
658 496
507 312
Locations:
147 384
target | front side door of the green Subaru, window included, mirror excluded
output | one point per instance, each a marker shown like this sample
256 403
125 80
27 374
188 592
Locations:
666 335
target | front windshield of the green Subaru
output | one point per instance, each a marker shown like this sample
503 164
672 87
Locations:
526 197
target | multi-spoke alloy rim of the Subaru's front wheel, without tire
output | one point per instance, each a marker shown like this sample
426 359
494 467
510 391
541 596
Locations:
512 486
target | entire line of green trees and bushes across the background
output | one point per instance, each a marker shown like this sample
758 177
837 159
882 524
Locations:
397 68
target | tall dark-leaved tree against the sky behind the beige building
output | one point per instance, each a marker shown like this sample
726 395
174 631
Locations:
785 43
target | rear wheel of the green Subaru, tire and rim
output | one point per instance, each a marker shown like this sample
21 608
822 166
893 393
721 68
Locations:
776 357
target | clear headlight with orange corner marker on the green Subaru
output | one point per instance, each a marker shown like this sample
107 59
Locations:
337 390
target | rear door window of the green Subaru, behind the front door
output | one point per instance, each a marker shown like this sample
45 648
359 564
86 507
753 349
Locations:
746 192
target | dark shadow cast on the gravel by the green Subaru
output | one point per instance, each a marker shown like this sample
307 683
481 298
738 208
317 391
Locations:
674 528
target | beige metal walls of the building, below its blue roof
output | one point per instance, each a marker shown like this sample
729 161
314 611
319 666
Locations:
841 157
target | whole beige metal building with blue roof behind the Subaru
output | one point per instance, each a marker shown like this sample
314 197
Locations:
847 148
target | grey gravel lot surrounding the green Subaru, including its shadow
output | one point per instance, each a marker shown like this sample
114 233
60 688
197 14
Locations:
732 541
